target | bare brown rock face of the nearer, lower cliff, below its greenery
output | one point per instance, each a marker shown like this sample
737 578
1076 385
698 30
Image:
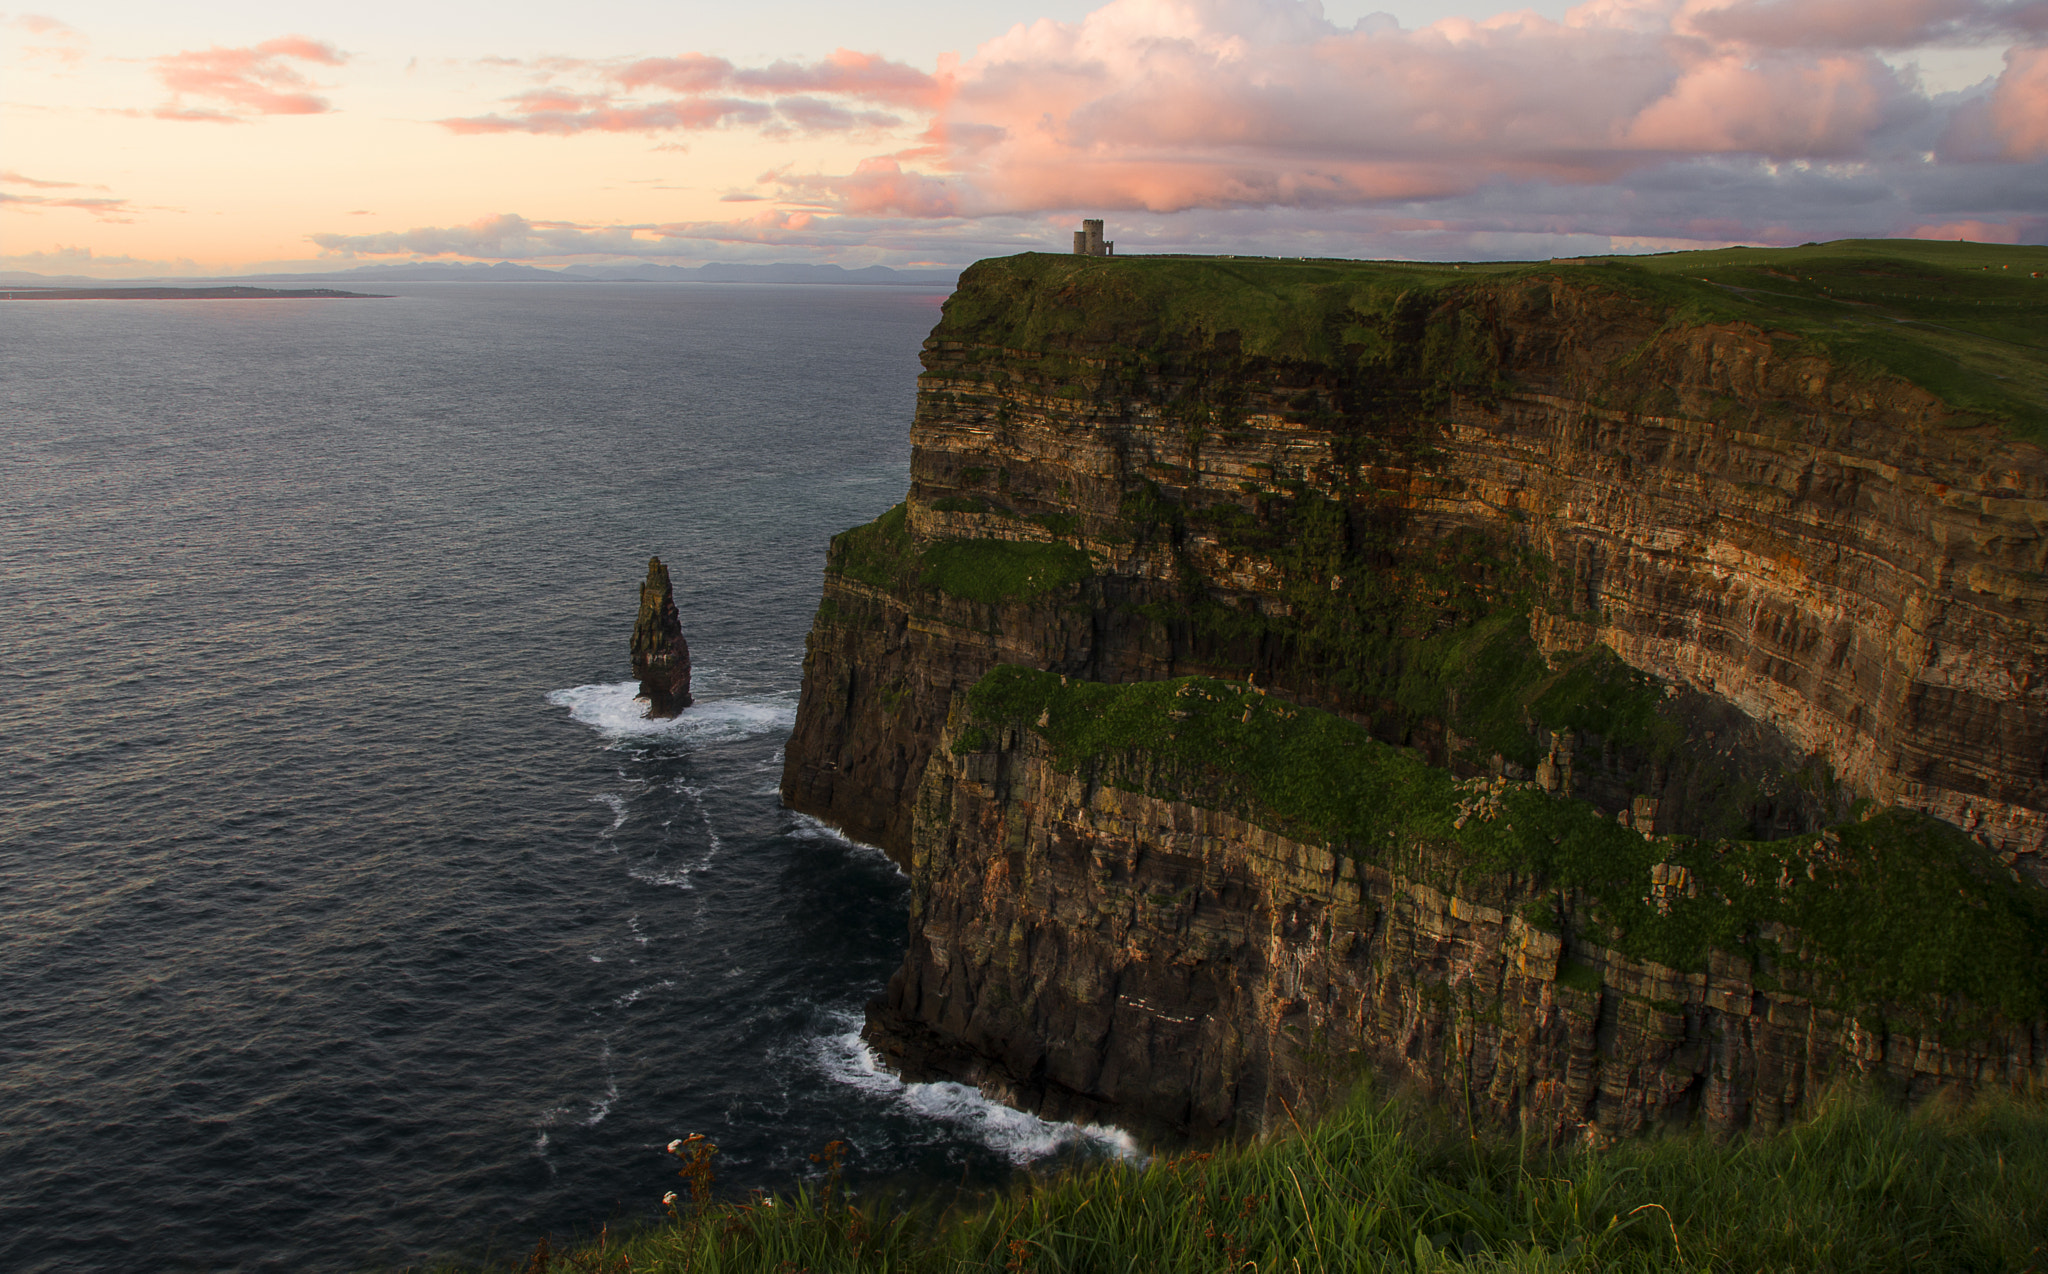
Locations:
1091 951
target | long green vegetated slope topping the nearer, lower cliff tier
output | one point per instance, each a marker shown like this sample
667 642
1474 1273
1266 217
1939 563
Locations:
1891 915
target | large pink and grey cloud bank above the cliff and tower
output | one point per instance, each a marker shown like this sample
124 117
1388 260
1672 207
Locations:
1263 126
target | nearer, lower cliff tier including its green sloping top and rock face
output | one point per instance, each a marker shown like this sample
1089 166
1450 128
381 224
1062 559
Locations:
1191 906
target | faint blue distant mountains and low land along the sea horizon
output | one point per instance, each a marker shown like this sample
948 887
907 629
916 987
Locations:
511 273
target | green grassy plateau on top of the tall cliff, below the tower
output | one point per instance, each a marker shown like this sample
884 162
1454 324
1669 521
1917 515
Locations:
1967 323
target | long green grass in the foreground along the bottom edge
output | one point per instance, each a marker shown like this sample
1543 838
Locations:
1388 1185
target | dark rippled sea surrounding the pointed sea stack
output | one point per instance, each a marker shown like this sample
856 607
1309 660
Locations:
349 912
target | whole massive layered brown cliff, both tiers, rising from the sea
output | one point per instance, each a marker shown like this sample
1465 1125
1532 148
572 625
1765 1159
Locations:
1721 550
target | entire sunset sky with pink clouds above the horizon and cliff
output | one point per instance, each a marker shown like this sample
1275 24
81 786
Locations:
243 136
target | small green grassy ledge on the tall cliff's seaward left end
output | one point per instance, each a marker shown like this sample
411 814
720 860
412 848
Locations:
884 554
